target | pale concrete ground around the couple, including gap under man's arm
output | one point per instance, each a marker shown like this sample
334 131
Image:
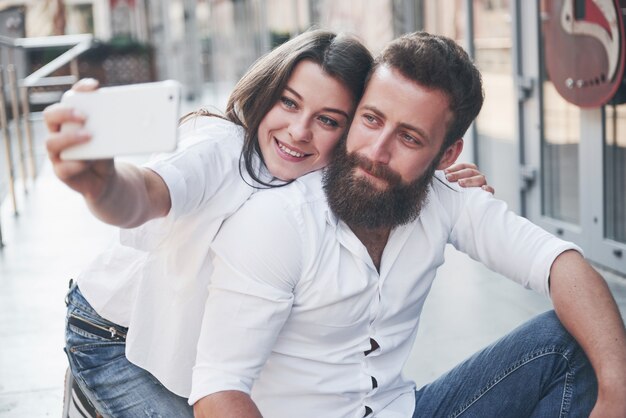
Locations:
54 237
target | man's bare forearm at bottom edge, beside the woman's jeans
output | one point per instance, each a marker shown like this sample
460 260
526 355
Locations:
227 404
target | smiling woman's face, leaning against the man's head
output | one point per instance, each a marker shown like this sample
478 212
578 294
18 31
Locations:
300 131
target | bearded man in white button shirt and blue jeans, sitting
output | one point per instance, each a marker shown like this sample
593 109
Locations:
316 294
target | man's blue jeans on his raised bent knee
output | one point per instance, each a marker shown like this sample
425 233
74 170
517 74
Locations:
538 370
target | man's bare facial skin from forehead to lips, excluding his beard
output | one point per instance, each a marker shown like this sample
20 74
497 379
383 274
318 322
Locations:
399 126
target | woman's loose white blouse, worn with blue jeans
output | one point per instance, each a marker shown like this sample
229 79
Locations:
155 280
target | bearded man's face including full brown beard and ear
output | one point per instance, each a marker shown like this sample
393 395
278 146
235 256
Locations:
379 176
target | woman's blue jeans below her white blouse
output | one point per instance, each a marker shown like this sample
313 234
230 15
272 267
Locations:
116 387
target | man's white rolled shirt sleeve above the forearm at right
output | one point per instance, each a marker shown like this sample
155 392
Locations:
506 243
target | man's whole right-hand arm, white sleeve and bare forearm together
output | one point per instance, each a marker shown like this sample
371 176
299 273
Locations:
514 247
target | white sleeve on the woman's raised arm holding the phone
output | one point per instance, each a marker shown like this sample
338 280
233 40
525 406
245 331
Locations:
207 154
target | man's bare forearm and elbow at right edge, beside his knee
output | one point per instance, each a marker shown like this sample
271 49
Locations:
585 306
